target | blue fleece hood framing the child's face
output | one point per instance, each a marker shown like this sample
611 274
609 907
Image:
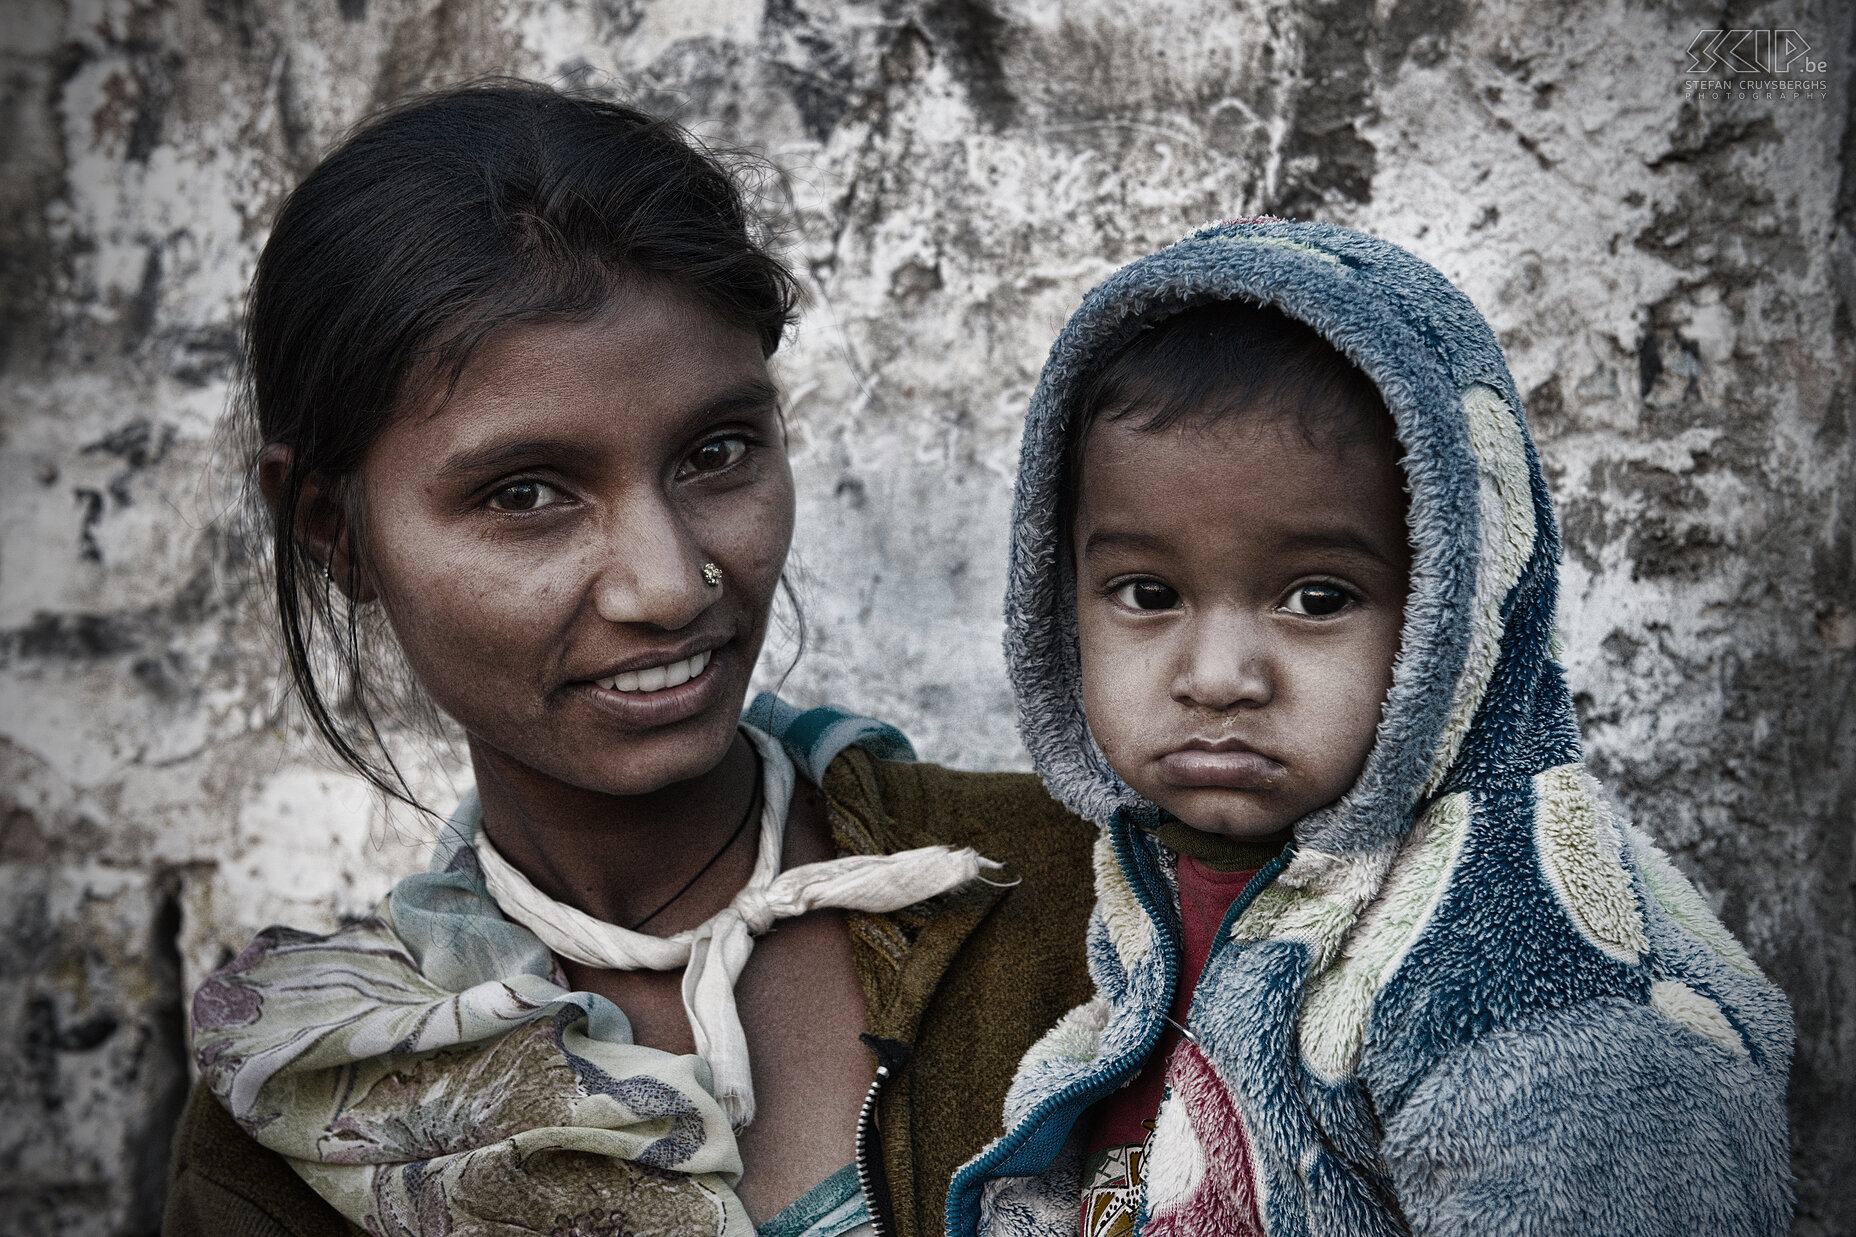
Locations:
1475 671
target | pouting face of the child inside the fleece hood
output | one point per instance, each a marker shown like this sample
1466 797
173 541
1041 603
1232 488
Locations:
1239 605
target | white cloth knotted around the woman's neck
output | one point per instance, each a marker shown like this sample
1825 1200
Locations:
714 954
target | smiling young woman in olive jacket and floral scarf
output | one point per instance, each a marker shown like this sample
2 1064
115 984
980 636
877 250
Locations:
509 393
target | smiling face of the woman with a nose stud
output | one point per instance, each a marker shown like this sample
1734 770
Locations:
539 541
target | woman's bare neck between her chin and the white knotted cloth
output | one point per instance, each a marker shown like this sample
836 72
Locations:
621 857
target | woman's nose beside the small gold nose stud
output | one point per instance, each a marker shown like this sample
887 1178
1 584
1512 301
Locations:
651 571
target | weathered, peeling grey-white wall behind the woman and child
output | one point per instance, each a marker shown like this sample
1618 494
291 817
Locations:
1673 278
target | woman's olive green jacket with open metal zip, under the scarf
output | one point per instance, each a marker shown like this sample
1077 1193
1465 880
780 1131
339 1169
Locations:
966 982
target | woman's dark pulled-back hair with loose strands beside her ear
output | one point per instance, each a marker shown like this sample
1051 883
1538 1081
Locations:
433 226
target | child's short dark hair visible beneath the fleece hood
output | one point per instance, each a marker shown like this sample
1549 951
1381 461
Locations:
1231 359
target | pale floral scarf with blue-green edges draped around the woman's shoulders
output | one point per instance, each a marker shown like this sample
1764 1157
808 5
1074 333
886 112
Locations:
428 1073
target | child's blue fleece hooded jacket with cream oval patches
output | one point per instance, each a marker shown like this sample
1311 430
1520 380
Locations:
1469 998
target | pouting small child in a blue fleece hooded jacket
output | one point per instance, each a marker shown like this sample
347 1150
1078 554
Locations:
1373 952
